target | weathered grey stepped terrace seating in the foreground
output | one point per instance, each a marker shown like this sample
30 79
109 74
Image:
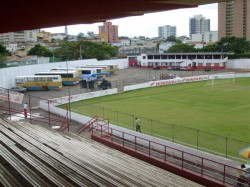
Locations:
32 155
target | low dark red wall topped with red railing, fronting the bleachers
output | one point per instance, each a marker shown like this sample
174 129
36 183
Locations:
199 169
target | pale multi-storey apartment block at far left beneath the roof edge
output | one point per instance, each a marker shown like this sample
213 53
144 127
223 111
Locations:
27 36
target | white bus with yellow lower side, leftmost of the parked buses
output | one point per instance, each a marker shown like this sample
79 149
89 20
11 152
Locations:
38 82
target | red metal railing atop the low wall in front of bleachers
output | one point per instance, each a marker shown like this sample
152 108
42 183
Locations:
223 175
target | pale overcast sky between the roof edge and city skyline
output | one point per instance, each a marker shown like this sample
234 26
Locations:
147 25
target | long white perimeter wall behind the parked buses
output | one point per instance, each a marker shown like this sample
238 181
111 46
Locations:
7 75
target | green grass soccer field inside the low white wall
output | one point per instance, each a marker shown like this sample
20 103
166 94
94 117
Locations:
194 109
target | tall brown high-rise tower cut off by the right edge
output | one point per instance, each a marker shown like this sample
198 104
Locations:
234 19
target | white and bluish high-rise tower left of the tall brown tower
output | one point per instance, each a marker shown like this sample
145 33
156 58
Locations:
198 25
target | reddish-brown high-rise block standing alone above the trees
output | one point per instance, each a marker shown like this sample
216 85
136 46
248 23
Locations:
109 32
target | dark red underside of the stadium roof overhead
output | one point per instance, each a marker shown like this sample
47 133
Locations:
16 15
